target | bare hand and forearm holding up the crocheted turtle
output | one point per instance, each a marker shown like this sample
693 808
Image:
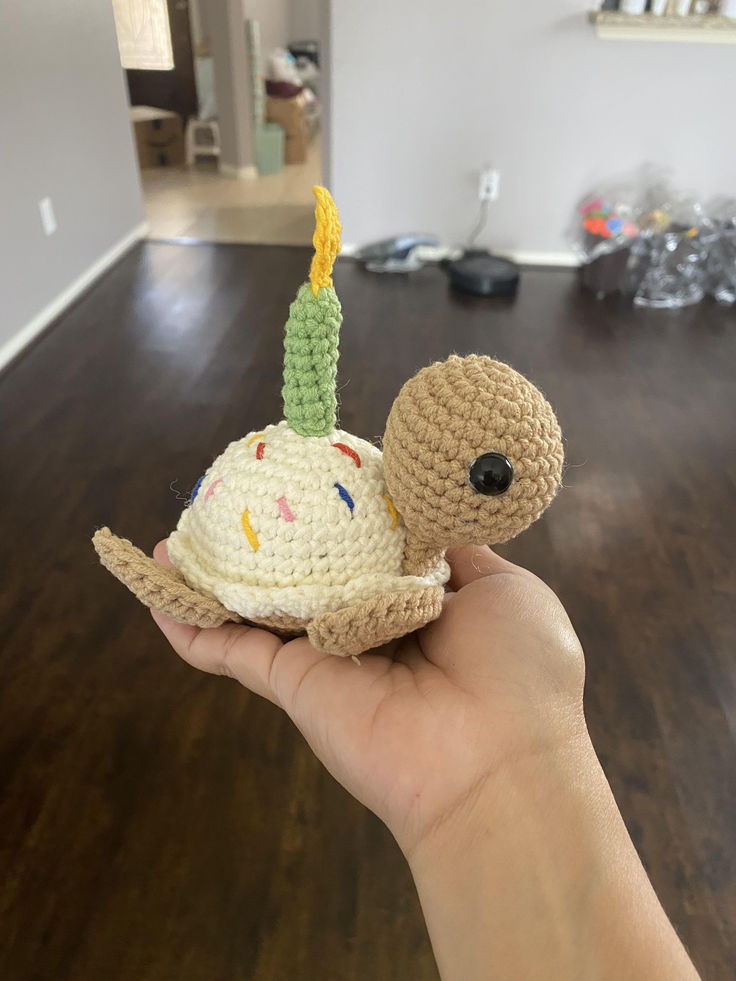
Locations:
468 739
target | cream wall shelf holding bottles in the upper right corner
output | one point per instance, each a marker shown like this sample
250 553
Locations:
707 29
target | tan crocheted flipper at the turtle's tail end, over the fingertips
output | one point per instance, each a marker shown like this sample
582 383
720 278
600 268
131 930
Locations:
159 587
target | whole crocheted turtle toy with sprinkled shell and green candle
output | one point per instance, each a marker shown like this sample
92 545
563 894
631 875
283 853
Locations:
303 528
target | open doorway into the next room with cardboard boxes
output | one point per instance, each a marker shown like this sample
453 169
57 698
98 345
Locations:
203 198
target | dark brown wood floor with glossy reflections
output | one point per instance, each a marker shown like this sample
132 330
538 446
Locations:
161 824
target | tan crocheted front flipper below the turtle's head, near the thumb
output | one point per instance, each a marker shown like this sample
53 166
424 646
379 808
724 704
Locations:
376 621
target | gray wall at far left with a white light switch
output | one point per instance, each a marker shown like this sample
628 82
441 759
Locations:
64 133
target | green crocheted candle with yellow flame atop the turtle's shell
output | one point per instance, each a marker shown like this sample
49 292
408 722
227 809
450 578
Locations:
312 331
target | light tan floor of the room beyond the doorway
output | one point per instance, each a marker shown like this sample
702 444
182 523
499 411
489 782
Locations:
199 203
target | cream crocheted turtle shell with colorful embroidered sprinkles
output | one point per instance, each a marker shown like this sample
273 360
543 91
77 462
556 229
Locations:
283 523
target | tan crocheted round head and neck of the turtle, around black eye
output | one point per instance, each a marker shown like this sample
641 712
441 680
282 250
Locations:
442 420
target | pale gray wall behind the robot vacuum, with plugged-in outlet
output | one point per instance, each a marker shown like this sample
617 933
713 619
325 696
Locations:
423 92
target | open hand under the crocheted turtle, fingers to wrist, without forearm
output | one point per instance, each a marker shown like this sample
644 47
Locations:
418 728
